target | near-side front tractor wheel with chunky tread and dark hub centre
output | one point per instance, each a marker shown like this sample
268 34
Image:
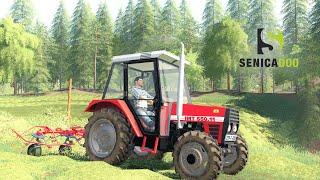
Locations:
197 156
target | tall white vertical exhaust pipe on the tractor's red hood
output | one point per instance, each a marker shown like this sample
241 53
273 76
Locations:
180 88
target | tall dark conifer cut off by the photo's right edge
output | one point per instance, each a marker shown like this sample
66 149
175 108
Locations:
309 121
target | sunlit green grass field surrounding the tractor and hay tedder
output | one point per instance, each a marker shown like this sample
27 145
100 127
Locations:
272 155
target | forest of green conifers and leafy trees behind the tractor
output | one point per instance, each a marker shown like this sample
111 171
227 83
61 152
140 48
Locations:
36 58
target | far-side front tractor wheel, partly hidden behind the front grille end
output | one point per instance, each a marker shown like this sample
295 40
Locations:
237 159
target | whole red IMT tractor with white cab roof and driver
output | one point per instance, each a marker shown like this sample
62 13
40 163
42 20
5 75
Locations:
146 109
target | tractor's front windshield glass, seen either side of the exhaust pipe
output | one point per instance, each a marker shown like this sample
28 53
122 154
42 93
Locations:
169 76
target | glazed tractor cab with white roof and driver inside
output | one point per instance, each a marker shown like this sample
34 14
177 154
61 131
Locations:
146 82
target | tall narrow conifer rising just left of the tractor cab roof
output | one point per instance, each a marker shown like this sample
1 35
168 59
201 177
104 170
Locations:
104 36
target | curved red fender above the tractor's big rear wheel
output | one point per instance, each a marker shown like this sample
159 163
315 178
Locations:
96 105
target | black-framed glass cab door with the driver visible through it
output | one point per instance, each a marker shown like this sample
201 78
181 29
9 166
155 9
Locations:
142 94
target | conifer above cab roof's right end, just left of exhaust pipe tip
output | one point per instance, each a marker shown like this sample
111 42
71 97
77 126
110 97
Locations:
170 25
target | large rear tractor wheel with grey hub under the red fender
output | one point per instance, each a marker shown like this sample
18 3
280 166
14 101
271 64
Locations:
108 136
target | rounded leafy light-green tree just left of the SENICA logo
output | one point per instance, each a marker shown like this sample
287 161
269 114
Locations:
230 42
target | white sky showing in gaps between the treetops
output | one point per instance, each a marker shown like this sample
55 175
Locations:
45 9
